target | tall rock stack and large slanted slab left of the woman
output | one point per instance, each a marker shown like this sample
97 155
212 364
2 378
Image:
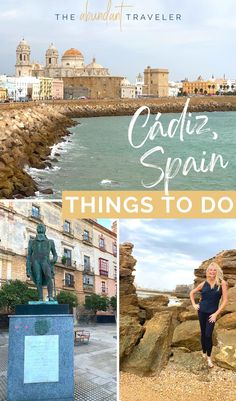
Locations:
145 329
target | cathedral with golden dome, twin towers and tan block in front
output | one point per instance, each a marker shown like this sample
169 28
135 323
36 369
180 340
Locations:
80 79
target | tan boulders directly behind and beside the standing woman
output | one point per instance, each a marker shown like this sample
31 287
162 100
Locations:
186 339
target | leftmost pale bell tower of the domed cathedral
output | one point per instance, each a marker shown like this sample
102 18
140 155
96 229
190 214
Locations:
23 66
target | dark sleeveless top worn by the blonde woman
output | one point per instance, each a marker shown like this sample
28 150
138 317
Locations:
210 298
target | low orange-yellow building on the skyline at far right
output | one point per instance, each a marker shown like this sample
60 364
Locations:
199 87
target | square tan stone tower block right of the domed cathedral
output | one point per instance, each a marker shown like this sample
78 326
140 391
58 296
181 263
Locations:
156 81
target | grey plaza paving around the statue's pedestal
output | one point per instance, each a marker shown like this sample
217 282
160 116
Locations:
95 365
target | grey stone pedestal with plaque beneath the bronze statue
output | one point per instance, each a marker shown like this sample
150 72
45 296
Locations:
41 354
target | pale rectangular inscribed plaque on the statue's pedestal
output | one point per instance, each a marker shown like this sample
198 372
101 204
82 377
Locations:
41 359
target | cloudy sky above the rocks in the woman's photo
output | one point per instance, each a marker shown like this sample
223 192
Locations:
167 251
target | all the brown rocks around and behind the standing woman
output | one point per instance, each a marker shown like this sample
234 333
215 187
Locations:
149 328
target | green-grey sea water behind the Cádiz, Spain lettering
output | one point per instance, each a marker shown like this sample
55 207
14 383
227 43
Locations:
98 156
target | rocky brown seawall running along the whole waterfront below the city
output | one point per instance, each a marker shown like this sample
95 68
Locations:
28 130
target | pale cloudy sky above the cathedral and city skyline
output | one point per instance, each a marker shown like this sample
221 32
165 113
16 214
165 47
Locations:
199 44
